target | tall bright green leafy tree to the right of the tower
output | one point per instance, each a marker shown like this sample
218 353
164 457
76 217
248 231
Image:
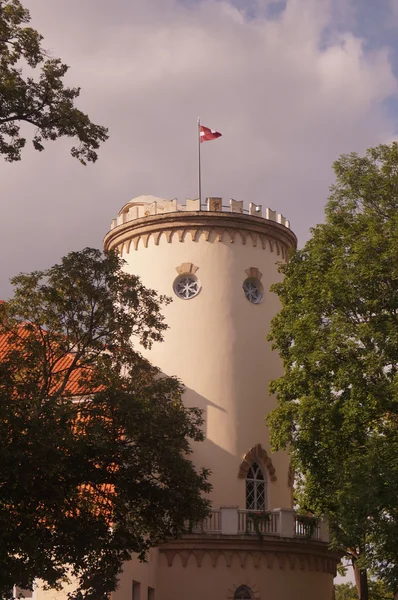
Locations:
337 334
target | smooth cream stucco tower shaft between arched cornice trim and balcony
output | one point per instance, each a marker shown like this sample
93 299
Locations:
217 346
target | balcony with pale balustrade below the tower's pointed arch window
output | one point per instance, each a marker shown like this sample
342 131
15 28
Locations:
278 523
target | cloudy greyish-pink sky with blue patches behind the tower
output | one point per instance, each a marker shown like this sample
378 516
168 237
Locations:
291 85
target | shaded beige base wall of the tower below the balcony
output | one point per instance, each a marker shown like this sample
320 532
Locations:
269 578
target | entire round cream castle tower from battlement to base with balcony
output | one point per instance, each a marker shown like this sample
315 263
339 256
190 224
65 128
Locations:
218 265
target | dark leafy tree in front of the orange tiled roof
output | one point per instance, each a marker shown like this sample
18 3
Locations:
94 459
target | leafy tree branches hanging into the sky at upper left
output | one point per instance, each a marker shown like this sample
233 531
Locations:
44 103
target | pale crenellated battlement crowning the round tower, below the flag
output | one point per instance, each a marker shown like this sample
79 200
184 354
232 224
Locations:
146 206
